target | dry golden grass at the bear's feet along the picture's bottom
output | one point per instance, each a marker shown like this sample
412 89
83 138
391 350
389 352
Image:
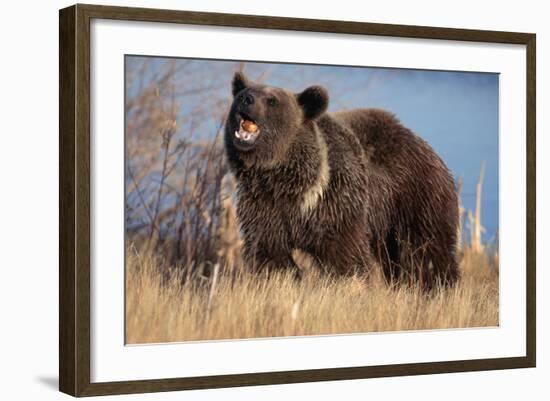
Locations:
162 309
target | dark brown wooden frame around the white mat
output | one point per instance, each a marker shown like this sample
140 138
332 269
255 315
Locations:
74 199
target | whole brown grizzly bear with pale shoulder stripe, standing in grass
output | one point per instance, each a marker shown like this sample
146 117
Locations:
352 189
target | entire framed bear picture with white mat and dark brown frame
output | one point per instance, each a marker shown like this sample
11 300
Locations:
250 200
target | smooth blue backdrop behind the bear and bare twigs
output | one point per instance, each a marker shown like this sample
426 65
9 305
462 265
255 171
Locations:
456 112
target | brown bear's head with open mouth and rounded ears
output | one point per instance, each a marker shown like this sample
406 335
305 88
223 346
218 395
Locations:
264 121
